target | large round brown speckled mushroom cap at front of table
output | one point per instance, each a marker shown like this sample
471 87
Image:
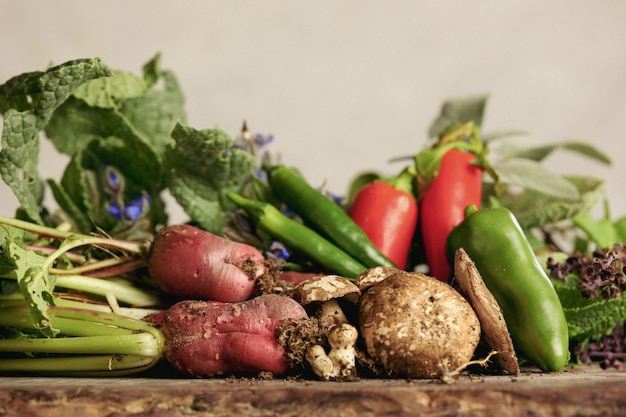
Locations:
416 326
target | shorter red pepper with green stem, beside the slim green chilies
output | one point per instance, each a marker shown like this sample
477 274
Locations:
387 211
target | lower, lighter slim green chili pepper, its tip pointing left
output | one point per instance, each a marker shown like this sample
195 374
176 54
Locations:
299 237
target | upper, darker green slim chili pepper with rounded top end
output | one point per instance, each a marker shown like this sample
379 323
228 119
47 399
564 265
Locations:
325 216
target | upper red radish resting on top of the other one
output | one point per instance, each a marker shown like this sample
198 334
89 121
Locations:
192 263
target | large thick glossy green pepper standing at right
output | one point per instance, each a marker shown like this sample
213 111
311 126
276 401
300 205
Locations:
496 243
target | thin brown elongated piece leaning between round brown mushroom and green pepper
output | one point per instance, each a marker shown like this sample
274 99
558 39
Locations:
494 328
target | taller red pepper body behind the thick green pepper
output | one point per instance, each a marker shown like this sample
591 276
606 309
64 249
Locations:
458 183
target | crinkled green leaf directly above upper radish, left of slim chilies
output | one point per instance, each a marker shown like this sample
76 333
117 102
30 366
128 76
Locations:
203 166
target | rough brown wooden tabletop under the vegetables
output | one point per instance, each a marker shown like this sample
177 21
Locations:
577 391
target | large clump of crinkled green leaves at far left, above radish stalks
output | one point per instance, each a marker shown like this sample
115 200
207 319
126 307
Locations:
99 118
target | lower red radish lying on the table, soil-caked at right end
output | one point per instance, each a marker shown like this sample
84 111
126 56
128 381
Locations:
211 338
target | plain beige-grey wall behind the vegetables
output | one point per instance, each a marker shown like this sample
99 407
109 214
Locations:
346 85
